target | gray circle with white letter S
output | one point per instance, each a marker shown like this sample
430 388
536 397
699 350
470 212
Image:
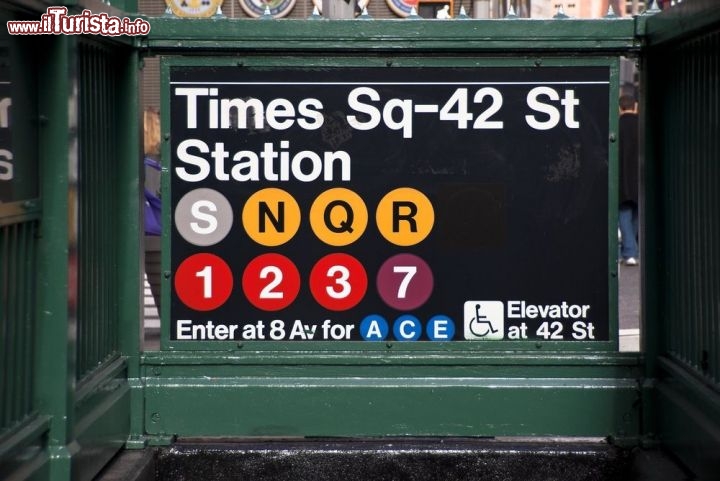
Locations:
203 217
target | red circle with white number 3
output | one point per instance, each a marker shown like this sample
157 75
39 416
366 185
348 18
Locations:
338 282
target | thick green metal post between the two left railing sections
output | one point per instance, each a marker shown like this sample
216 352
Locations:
55 360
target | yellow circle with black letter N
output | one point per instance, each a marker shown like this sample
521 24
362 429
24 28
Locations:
271 217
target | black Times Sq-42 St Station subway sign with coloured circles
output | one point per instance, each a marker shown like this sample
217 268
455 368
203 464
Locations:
365 207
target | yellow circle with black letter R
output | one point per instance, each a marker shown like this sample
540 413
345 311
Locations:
405 216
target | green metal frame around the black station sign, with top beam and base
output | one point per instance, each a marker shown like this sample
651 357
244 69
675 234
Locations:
392 389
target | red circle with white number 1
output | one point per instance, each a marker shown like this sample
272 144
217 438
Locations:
203 282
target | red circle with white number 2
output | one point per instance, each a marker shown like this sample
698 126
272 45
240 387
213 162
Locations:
271 282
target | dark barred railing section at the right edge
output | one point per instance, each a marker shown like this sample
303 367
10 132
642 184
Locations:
691 206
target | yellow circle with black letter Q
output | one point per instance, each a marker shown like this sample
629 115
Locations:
338 217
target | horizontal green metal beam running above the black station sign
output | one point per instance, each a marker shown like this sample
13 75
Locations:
400 36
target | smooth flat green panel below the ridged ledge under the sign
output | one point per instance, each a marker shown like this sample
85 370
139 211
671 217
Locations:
391 407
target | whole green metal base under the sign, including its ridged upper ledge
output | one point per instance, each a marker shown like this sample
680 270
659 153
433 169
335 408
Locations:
293 394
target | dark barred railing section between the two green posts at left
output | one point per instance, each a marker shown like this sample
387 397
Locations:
97 311
